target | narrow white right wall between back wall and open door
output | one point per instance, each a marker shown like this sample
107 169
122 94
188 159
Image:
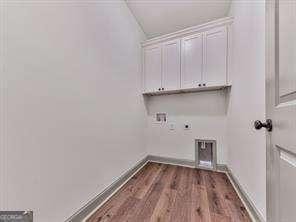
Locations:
246 146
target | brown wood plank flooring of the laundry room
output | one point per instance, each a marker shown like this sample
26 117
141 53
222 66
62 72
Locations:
168 193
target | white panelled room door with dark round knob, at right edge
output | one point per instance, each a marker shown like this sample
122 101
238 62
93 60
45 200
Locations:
281 108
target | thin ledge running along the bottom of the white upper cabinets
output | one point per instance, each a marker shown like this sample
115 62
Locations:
190 90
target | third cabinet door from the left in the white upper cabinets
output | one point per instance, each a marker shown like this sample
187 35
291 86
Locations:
192 61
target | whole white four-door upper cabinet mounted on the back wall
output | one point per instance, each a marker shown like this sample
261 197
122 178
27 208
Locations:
193 59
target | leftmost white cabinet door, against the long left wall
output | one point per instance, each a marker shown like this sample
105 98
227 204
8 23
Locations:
152 68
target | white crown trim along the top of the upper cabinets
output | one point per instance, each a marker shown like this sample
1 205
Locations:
191 30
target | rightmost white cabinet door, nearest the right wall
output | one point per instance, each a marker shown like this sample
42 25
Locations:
215 58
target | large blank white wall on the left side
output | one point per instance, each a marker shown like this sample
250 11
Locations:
75 114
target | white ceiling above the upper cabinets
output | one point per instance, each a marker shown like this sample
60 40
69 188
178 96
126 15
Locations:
158 17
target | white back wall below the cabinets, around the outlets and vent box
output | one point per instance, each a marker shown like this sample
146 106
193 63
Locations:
204 111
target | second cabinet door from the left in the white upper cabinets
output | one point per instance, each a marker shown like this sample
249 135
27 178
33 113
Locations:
171 55
